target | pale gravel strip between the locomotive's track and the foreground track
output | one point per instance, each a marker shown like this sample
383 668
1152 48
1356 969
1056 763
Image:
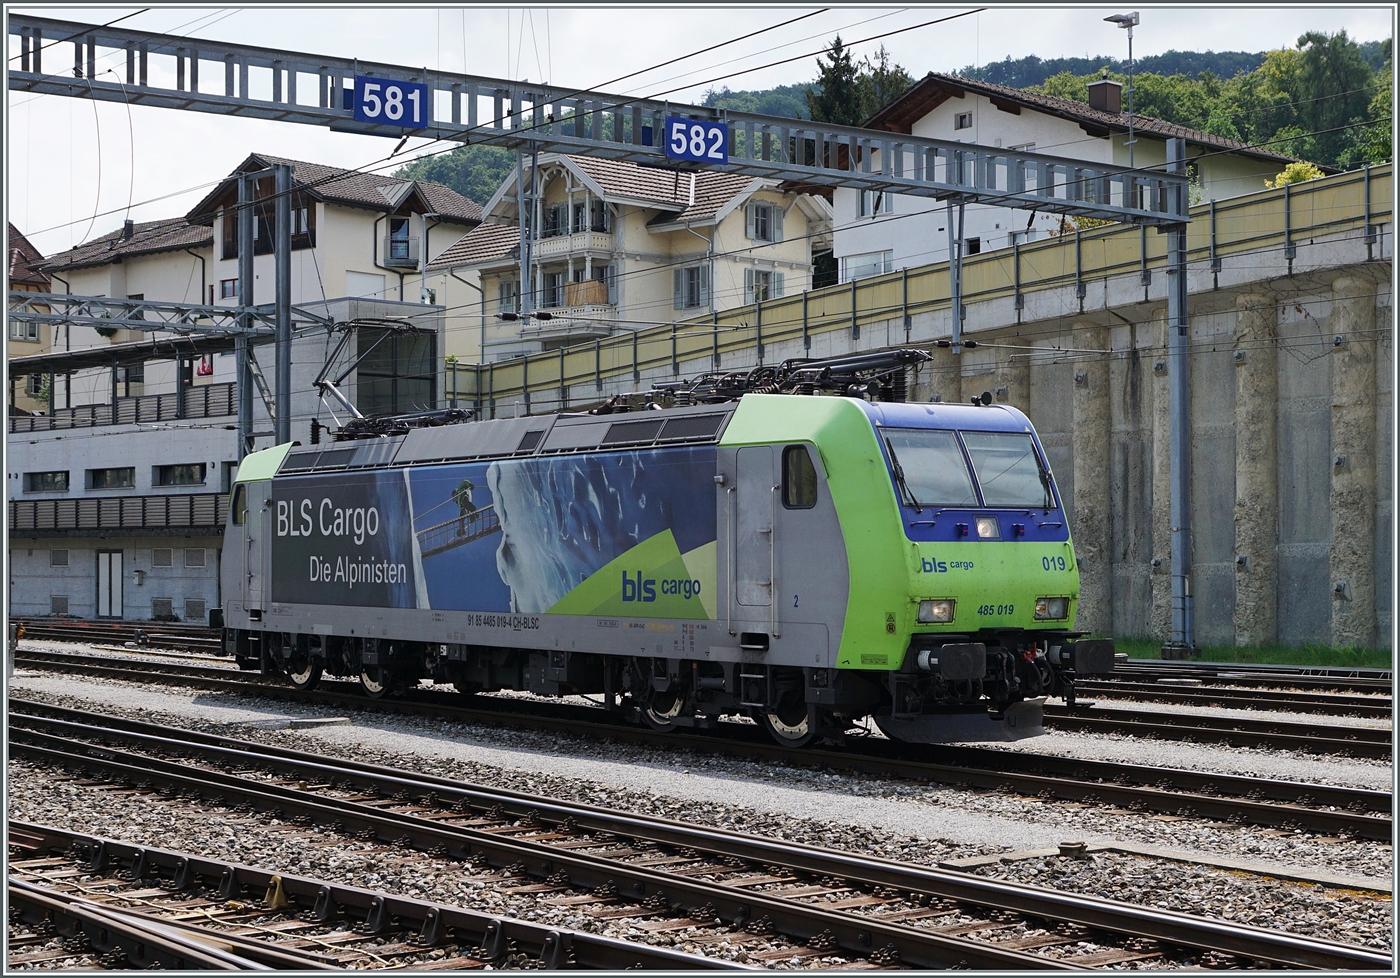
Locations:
919 823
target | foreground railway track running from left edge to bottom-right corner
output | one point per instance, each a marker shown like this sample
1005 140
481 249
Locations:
821 902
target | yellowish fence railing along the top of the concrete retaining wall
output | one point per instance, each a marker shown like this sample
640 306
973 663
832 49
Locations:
1233 230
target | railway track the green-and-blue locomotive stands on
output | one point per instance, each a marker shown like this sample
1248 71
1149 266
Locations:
1129 787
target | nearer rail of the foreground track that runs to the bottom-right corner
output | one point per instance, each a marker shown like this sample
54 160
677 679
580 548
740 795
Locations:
856 935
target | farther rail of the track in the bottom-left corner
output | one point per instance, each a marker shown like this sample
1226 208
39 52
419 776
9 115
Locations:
551 944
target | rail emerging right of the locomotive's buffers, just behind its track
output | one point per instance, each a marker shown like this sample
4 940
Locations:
1233 731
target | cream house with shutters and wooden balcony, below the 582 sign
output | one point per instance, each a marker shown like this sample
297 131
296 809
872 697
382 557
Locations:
619 247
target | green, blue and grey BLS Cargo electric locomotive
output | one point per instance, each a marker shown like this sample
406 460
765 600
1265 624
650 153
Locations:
810 562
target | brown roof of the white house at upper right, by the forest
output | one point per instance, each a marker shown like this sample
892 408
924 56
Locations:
930 92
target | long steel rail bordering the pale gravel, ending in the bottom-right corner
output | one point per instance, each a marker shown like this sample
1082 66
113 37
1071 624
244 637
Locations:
1088 912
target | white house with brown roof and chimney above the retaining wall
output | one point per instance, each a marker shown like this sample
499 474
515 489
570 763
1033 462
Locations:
877 233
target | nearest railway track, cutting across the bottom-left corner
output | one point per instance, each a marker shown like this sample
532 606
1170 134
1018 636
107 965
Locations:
83 902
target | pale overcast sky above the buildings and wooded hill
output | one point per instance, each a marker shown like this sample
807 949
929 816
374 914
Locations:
69 160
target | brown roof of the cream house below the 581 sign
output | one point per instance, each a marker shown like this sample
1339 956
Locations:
348 187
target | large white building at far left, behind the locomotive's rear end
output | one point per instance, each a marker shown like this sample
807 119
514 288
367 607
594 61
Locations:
118 490
